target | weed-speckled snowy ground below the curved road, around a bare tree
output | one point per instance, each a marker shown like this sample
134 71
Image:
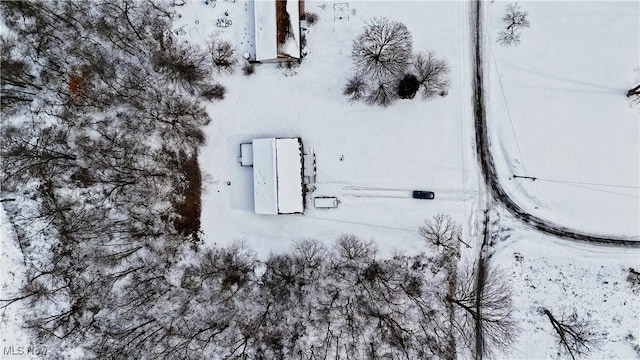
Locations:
563 276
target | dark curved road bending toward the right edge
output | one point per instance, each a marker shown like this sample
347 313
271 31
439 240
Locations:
486 160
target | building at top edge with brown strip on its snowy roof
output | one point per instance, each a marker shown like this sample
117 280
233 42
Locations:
277 29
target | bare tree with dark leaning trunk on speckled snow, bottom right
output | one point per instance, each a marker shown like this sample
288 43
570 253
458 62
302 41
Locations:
576 335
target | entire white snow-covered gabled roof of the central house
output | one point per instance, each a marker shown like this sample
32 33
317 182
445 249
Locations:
277 176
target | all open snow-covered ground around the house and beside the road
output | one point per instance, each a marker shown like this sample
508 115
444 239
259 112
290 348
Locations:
557 111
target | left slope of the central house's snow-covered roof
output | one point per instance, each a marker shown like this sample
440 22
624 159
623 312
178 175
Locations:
265 184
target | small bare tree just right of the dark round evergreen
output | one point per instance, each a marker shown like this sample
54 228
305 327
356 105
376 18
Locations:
432 73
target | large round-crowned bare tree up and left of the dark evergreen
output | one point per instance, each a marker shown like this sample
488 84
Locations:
383 51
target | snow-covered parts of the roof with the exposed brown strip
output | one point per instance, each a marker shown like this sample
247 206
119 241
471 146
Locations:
266 31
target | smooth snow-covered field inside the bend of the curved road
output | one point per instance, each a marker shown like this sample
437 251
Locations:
557 111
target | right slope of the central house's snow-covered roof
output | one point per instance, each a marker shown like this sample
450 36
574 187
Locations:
289 176
